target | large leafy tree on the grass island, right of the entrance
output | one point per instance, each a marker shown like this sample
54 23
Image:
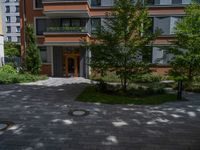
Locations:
121 39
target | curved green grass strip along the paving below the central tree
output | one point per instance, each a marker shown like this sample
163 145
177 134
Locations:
91 95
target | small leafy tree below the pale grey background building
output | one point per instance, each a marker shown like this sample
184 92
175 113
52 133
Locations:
12 49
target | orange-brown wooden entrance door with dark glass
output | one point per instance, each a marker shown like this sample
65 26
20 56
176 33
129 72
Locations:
72 66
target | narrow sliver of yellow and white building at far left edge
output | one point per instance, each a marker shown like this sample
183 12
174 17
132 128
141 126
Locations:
1 39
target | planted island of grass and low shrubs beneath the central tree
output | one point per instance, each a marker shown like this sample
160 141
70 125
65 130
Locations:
138 96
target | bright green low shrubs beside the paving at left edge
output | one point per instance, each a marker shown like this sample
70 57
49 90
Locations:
9 75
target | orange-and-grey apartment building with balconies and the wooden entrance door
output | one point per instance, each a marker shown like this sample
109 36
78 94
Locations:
61 26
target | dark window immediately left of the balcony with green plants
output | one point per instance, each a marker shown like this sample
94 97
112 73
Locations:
40 26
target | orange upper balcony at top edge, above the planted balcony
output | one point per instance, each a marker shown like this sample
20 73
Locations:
67 8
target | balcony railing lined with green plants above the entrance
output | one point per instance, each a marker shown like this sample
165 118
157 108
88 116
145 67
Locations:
67 29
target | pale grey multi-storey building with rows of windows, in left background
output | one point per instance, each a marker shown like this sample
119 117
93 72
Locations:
11 20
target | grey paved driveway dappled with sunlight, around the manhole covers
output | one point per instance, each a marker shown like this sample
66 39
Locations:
40 113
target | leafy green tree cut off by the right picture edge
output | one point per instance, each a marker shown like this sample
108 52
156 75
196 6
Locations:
186 47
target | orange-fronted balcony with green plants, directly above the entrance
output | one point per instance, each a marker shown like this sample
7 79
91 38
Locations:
67 31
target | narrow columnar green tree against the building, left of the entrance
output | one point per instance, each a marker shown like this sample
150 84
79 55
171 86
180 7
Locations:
32 56
